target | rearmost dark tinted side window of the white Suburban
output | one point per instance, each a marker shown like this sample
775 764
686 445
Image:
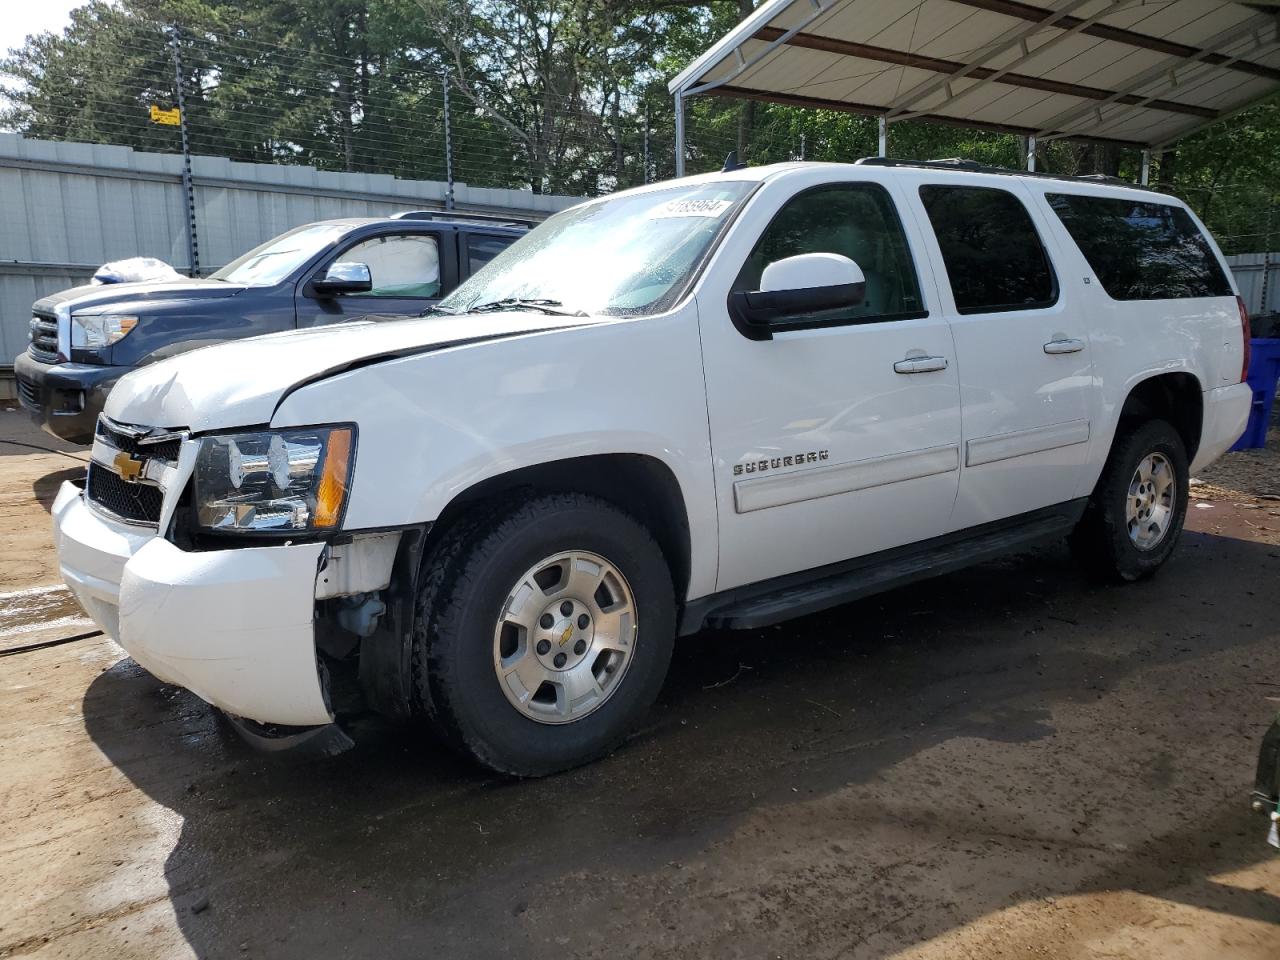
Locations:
1140 250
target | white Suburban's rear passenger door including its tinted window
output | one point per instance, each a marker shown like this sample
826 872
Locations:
1027 386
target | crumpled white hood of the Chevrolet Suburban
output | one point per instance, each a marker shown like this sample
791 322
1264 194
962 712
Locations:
241 383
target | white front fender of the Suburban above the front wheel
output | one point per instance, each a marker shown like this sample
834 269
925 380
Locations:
436 424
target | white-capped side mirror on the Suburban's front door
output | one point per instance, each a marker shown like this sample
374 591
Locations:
794 290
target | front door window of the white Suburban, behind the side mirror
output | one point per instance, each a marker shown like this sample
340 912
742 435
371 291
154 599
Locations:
857 221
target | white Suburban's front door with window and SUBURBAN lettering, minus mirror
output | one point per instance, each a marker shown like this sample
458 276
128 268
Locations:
840 440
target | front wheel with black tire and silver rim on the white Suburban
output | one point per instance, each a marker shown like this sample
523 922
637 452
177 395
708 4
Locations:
476 593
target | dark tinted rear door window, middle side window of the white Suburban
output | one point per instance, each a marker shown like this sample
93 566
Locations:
994 257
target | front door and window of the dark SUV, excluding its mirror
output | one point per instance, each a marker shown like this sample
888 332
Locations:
412 272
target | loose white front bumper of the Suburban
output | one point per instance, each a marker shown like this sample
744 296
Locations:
236 628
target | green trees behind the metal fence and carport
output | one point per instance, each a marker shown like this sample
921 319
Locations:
551 95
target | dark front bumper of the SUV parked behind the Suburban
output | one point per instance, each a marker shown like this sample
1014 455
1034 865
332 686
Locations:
65 399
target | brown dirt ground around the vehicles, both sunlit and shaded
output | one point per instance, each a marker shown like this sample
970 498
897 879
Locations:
1003 764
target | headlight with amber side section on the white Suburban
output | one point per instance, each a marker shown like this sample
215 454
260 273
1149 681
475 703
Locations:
275 482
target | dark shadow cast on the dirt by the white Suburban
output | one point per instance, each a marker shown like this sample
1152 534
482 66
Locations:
397 849
